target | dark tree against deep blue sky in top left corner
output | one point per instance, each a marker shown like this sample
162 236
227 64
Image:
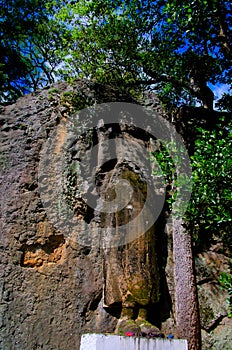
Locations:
28 42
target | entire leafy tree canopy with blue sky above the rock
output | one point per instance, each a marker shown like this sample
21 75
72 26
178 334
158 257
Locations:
175 48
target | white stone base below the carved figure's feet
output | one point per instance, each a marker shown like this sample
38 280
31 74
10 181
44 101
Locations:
115 342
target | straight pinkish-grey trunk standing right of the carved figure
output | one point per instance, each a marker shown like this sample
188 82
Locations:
186 301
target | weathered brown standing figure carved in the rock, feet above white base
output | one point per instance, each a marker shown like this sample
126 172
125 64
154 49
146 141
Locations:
130 270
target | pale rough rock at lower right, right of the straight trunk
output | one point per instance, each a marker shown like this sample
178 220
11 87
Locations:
216 326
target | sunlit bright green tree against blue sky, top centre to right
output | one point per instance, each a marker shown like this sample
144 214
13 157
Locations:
174 47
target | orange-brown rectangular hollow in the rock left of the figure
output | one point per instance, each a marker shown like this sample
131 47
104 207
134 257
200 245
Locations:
38 255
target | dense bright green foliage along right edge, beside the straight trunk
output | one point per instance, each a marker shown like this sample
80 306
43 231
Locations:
209 210
